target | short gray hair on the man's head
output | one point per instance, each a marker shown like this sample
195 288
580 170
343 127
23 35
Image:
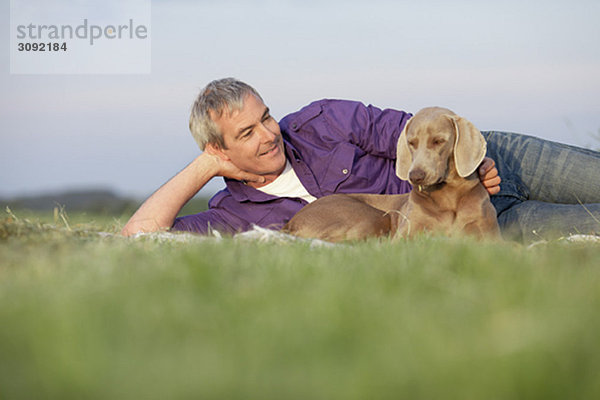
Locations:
221 94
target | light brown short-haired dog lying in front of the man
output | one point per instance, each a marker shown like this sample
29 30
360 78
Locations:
438 152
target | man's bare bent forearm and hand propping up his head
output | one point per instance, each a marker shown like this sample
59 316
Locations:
159 211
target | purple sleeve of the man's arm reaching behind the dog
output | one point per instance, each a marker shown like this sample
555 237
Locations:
373 130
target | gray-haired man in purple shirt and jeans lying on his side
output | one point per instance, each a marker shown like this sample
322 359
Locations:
274 169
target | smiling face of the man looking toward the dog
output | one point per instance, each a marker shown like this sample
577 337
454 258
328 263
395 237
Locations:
252 139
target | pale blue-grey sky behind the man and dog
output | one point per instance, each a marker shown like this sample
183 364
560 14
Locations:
531 67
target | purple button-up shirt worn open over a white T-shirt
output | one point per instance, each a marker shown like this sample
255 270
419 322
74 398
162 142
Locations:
334 146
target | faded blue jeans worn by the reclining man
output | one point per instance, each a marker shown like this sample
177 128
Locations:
548 189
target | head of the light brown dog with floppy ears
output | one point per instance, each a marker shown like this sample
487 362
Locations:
436 142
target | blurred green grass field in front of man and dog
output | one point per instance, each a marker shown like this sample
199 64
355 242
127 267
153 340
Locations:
89 316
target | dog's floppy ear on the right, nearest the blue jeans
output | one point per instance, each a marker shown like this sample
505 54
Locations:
469 147
